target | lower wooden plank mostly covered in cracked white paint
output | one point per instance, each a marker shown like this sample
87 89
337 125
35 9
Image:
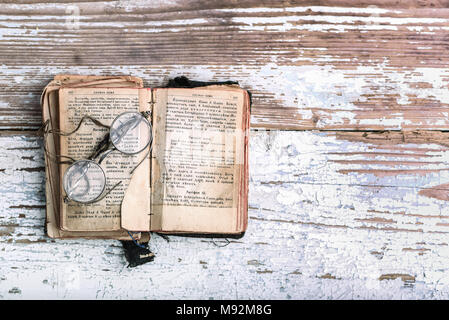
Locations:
332 215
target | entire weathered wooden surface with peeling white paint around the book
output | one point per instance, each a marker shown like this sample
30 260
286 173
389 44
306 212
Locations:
349 148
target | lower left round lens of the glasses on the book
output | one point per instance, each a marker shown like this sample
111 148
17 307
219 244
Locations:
84 181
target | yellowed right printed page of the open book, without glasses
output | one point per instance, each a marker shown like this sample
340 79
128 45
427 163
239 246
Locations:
197 159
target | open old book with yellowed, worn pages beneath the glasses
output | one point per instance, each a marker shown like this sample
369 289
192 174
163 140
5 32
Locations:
192 178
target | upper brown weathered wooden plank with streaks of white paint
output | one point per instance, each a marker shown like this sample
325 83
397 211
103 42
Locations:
309 65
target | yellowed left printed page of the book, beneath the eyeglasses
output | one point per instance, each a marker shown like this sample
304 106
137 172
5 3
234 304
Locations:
103 104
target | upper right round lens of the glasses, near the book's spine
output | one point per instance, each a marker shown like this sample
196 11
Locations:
130 132
